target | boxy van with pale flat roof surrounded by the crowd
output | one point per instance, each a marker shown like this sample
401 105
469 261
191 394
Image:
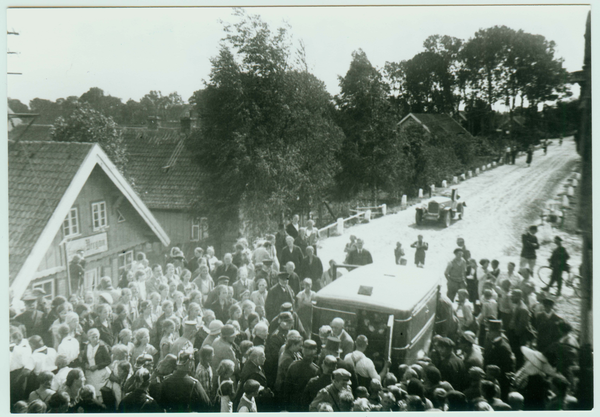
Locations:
393 305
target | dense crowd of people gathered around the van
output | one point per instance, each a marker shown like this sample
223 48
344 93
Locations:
236 335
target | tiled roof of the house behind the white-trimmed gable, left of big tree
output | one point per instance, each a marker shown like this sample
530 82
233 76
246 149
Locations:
162 166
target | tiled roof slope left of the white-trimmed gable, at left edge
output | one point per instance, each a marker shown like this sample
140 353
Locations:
39 173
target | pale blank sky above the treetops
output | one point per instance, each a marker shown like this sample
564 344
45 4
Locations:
128 52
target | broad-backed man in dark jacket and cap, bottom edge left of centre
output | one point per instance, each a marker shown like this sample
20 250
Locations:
180 392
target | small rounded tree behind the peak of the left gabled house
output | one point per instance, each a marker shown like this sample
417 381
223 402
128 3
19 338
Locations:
90 126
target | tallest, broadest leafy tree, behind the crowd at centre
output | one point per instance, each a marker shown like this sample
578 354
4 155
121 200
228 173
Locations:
267 140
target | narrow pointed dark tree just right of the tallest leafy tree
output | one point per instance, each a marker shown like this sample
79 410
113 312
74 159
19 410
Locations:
369 155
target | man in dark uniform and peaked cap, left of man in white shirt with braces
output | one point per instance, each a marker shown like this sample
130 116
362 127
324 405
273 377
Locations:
298 375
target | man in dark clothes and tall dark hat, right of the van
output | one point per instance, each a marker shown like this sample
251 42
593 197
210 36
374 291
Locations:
497 351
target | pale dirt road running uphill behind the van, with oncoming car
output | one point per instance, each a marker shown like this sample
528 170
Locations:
501 204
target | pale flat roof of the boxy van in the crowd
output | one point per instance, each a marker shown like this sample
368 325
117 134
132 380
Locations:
391 287
